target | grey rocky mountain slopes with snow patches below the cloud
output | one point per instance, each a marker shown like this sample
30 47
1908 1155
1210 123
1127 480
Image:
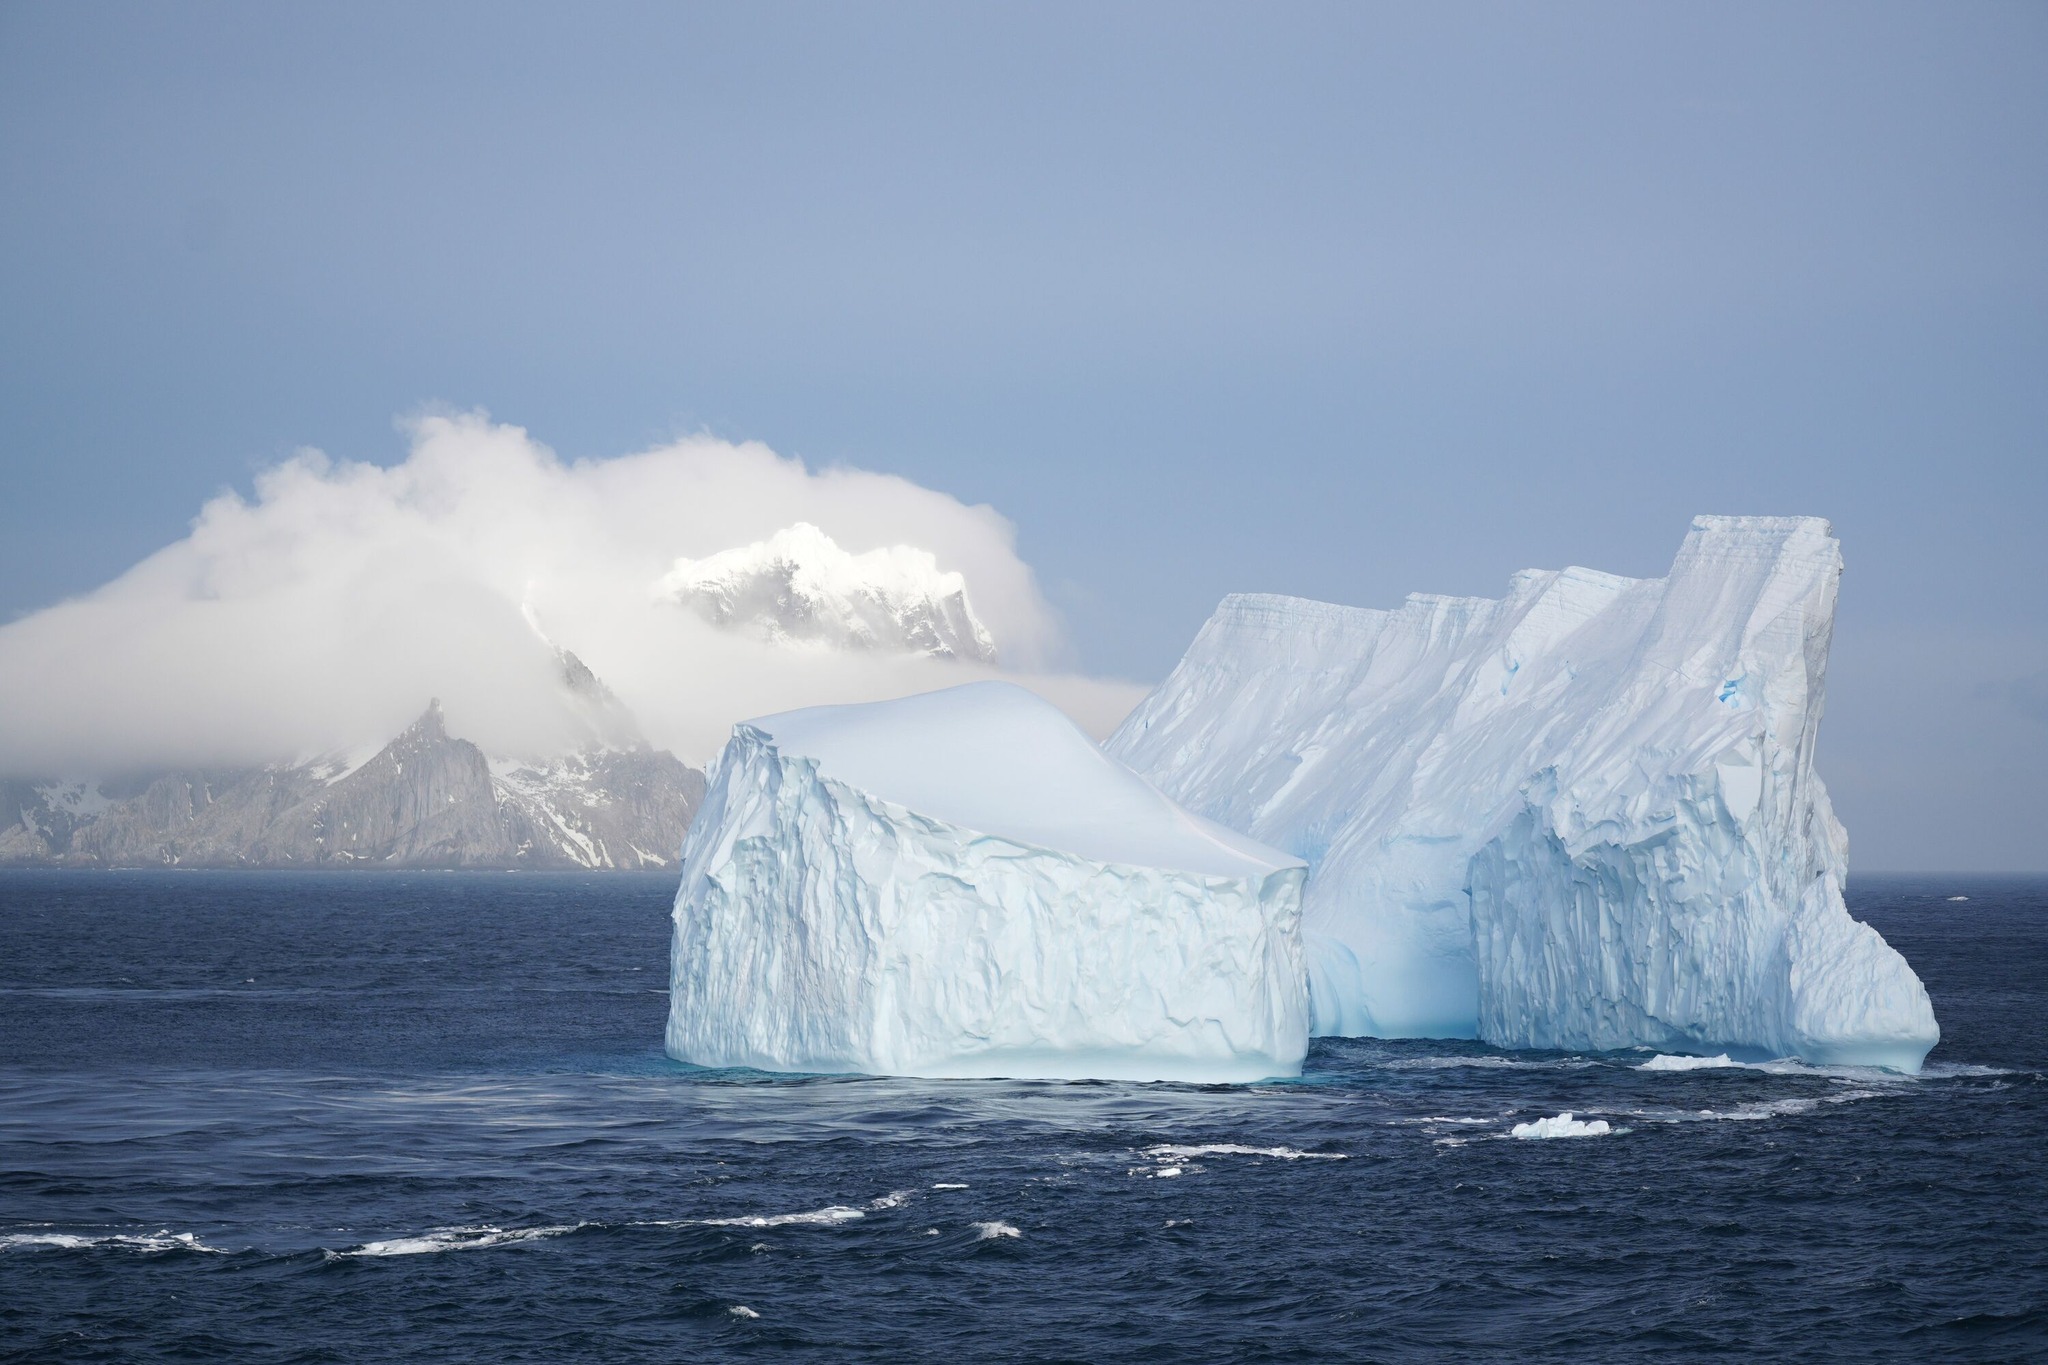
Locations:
423 801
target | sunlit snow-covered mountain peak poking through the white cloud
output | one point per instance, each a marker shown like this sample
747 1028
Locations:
800 586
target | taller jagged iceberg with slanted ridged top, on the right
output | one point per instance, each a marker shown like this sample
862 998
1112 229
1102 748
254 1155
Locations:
1582 816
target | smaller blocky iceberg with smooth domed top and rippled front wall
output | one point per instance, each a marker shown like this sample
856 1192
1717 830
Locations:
964 885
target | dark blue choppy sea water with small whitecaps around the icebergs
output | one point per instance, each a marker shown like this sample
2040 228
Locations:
384 1116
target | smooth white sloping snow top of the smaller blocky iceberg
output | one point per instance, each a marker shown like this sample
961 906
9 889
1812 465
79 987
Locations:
998 760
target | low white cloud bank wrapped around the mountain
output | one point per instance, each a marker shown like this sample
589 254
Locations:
327 611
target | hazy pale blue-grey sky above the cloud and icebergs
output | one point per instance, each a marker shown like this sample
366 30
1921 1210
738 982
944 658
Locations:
1342 302
